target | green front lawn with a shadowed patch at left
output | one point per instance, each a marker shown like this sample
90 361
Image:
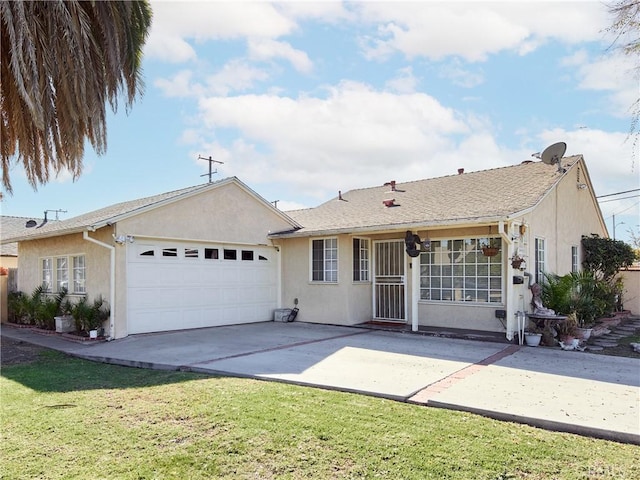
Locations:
68 418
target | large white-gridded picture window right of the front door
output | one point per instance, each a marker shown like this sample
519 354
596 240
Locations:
457 271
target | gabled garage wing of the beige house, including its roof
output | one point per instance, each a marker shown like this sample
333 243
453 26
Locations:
191 258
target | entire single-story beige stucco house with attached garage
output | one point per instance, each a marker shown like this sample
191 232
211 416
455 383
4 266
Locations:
410 252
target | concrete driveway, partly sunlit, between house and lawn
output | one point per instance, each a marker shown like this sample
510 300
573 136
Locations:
570 391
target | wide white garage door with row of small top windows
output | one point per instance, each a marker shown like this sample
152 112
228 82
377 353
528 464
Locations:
173 286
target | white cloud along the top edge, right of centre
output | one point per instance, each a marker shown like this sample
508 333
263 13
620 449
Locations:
474 30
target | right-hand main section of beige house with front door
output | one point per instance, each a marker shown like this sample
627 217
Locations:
348 264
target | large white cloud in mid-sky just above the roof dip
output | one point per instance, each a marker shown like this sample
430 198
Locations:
354 137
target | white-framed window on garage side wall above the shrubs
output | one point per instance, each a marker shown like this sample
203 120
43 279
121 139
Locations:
64 271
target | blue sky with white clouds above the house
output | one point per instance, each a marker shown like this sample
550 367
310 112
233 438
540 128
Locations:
302 99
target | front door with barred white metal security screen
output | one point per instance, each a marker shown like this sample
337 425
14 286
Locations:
389 290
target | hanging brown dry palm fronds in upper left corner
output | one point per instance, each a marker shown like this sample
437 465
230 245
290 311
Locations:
61 61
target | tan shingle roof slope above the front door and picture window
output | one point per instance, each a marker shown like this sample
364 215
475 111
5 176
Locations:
487 195
